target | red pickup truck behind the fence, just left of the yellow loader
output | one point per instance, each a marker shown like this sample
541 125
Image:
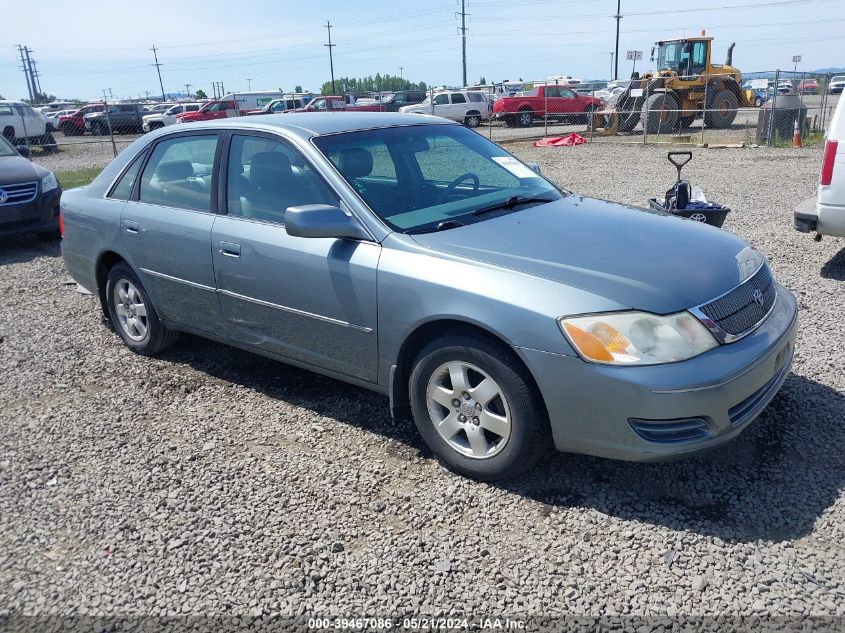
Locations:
562 103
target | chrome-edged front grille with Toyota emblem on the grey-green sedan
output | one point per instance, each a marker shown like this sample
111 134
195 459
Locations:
744 307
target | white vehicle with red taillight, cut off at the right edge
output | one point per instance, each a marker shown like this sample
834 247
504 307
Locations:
824 213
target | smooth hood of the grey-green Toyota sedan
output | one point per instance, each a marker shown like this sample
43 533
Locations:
644 259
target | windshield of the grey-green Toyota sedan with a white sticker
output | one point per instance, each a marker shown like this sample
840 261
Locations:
418 178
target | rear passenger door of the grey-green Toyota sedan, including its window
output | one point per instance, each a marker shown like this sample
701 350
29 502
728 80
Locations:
166 229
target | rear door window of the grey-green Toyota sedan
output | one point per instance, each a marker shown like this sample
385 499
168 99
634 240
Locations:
179 173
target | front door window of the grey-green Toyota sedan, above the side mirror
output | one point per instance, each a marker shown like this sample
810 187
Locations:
267 176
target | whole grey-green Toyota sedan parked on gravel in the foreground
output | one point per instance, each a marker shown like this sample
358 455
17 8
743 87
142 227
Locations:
412 256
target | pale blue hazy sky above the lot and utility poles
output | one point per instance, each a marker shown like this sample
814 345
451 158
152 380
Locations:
83 48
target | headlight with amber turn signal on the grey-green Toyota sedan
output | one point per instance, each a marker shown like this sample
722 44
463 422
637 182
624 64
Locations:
637 338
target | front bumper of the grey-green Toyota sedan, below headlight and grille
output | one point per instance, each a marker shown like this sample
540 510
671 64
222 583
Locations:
663 412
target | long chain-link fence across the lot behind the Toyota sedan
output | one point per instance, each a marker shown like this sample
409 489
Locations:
766 110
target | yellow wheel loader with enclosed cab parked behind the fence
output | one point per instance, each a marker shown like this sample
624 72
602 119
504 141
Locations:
685 87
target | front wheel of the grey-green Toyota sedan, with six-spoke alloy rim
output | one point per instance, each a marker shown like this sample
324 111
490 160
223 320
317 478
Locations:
522 434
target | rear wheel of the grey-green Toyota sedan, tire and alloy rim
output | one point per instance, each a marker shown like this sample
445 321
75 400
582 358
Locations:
144 334
